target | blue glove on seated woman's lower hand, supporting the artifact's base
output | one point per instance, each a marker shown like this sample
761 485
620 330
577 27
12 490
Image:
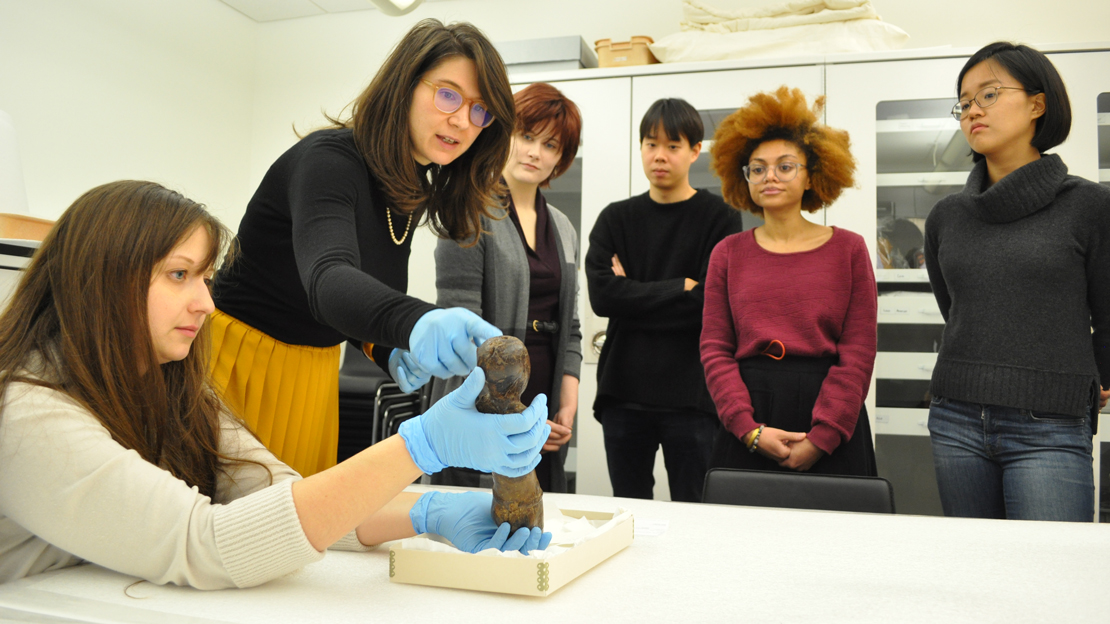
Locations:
466 520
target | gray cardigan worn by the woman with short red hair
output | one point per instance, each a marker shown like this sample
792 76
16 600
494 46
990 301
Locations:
492 280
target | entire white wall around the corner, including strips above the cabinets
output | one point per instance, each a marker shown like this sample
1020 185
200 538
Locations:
196 96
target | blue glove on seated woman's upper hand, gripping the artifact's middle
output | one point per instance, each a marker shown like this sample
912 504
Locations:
453 434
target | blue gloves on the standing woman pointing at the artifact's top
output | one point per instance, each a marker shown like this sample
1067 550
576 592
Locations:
443 344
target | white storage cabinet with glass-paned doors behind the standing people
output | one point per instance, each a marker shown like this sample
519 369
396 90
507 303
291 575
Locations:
911 154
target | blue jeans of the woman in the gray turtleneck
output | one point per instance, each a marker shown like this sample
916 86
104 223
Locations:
1011 464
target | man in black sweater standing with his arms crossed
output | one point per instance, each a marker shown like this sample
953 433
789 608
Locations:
647 264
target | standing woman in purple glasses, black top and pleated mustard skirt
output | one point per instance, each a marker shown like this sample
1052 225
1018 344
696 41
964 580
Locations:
326 240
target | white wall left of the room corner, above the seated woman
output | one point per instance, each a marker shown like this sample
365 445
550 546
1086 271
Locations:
103 90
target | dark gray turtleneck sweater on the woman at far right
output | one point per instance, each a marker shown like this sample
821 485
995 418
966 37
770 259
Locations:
1022 271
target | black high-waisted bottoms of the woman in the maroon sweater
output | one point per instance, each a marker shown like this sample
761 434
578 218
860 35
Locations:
783 395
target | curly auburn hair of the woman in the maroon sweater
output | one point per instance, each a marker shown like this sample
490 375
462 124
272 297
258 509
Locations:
782 116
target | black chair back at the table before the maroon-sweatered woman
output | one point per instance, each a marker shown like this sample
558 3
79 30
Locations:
799 491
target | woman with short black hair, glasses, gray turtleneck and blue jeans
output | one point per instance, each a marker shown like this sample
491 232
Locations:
1020 263
